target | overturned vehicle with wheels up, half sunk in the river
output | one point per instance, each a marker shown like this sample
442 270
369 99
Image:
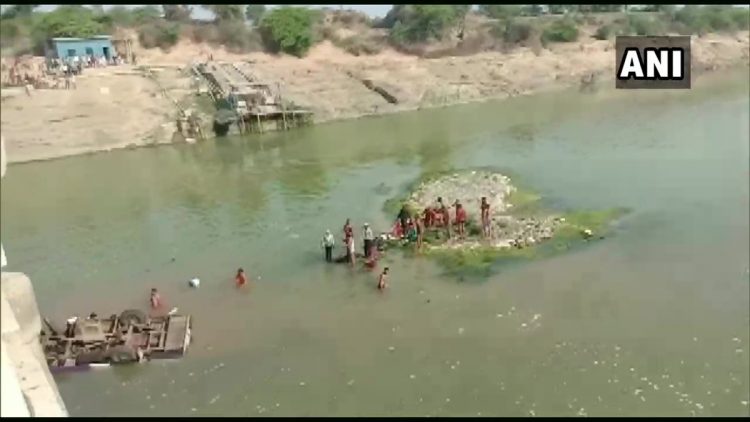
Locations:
128 338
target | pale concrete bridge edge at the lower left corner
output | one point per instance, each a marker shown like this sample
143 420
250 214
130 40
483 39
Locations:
28 388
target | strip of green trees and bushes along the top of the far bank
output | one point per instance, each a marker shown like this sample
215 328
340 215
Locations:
410 27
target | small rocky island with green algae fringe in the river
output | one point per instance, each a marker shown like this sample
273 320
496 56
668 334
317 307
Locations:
520 226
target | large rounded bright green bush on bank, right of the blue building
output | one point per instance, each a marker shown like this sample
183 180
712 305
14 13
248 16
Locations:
288 29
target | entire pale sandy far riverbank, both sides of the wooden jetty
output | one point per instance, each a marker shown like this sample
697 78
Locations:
113 108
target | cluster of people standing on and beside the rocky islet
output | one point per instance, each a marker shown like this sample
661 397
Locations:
407 227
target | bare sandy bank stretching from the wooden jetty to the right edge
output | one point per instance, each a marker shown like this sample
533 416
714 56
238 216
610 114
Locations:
335 84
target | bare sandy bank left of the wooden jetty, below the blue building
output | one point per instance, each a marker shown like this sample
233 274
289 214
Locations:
110 108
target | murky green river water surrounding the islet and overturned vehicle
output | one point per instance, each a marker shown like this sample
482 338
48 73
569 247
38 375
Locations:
651 321
